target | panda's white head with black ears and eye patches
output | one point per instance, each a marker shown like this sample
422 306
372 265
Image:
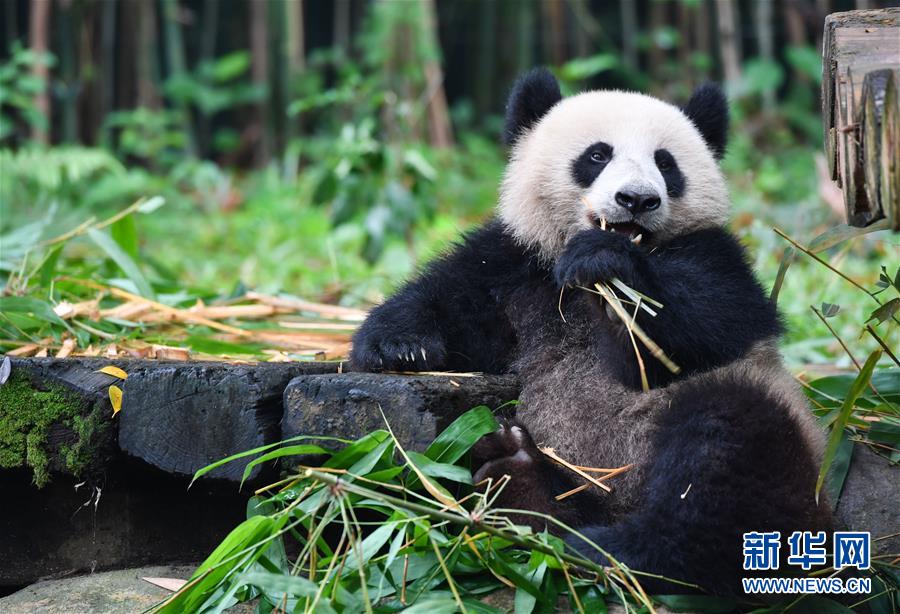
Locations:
631 162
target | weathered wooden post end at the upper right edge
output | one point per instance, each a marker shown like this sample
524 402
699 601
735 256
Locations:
860 78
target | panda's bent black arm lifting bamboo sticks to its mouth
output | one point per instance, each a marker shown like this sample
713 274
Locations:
714 308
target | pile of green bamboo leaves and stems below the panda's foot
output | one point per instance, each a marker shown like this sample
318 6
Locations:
375 531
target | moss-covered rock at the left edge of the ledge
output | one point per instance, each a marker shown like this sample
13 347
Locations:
47 426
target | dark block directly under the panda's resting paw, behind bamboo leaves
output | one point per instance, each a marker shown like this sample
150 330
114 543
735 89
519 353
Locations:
418 407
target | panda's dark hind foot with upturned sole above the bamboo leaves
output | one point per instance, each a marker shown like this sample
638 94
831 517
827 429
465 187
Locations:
534 481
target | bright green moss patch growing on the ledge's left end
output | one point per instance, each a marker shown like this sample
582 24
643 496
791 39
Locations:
26 416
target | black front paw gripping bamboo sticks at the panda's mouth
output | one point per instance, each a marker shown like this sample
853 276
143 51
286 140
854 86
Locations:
593 256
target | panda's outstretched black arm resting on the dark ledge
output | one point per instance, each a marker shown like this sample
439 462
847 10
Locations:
451 316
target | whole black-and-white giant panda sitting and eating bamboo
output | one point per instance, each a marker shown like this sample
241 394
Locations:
728 445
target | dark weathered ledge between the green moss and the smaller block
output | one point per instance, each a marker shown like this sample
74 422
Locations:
176 416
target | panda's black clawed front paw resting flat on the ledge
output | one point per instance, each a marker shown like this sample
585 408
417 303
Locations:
398 352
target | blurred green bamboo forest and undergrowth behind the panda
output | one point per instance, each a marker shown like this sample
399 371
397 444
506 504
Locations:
326 149
